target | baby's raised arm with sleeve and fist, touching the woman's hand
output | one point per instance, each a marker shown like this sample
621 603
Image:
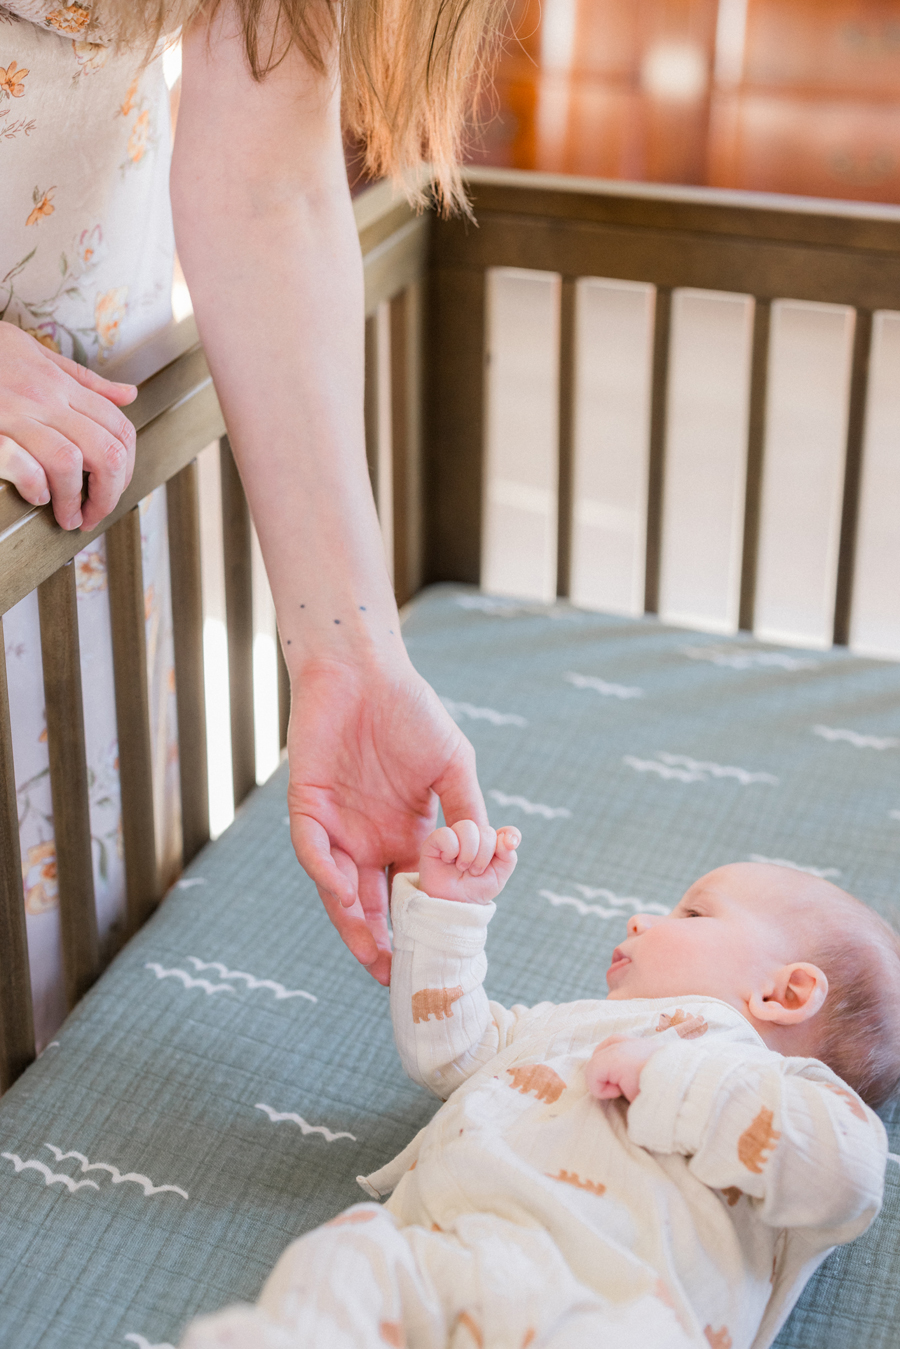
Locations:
445 1026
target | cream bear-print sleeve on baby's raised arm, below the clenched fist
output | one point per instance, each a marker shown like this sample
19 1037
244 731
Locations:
445 1026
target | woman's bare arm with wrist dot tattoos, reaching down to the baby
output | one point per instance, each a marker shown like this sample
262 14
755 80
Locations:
268 241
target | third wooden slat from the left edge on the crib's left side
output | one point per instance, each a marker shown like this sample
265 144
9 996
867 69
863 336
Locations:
133 718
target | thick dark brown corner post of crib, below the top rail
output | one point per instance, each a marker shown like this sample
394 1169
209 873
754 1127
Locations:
454 459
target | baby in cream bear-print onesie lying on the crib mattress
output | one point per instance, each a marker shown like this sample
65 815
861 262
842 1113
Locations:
658 1170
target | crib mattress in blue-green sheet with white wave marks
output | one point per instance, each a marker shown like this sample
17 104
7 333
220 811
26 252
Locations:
230 1076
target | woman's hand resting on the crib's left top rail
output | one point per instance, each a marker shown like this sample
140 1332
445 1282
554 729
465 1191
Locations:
57 423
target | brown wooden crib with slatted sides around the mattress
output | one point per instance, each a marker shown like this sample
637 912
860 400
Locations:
647 400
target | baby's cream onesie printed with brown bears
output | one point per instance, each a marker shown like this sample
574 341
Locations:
531 1215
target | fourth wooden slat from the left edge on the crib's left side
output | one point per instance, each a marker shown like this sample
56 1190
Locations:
183 504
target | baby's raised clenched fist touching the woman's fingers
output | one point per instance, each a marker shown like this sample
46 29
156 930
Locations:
468 864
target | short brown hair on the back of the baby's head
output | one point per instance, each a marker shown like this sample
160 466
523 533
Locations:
859 1027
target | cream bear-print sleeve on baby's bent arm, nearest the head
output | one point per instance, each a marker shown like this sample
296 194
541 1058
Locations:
786 1132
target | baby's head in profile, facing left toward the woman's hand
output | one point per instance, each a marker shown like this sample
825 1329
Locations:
813 969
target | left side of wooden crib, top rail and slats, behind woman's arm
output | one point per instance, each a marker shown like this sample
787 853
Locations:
176 418
